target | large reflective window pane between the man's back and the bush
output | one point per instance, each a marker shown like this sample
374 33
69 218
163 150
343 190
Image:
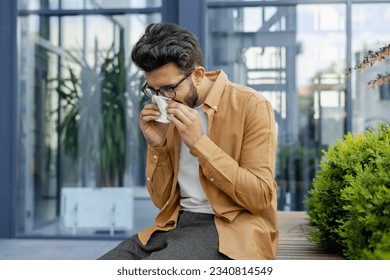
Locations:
295 56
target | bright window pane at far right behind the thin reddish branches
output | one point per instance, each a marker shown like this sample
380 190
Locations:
369 33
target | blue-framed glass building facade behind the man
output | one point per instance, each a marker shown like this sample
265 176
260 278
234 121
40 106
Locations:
72 155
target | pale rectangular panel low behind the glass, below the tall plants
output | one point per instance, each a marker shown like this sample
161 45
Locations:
97 209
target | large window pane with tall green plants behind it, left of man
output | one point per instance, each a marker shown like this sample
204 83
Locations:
78 112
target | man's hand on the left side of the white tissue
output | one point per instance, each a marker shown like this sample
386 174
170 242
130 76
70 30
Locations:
154 132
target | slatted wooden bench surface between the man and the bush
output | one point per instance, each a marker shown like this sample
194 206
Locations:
293 243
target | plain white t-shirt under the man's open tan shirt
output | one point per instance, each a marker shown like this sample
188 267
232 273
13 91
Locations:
192 195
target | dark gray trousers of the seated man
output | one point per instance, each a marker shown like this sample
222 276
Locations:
194 238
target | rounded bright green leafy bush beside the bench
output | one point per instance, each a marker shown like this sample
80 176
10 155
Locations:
349 205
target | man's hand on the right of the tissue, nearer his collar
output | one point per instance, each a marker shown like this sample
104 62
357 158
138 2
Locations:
187 122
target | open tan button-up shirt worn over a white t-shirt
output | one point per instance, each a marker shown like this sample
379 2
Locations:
236 171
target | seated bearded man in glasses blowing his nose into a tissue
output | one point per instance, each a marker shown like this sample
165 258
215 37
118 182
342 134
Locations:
210 170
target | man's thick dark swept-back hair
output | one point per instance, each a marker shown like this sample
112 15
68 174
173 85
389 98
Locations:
165 43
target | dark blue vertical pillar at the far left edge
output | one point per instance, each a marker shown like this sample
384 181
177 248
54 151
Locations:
7 118
